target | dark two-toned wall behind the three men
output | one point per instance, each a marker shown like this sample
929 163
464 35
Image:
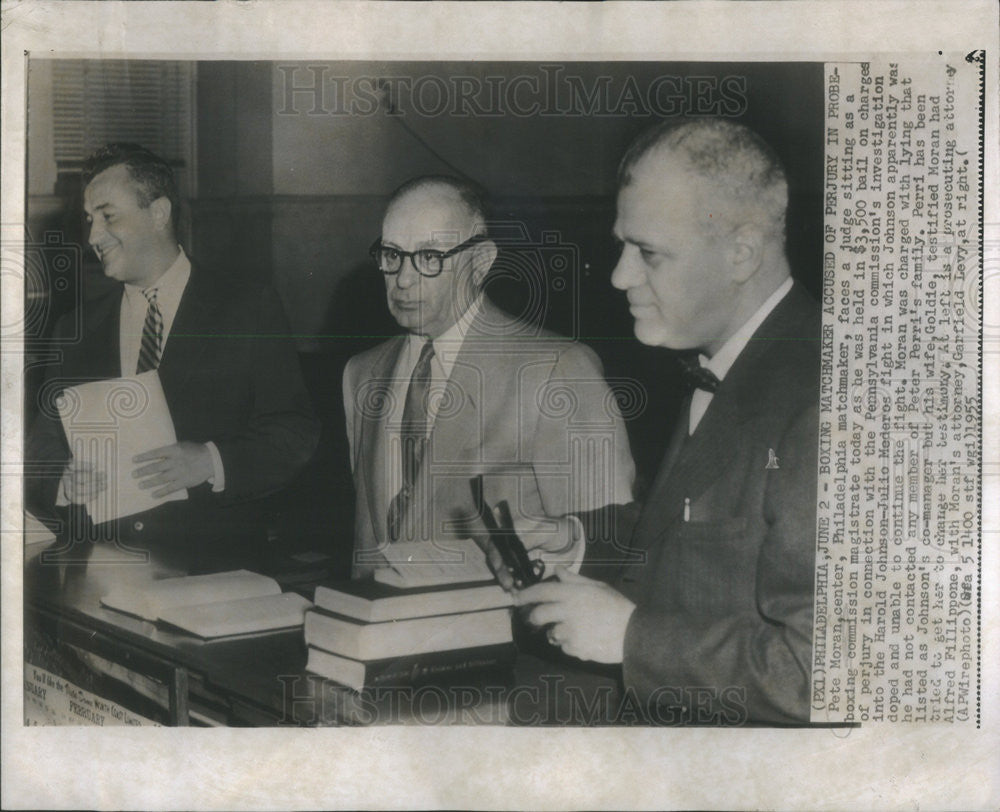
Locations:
294 161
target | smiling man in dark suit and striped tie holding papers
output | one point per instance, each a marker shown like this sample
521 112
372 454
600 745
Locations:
230 377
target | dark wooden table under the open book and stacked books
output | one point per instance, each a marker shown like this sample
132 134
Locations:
260 680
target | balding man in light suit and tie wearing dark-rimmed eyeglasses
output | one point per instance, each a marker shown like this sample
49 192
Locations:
468 390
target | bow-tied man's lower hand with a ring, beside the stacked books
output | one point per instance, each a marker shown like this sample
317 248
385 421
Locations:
586 618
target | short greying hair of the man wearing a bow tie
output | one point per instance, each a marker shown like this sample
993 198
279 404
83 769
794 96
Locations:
742 169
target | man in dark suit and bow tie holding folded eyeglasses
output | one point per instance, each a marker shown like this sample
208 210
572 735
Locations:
712 619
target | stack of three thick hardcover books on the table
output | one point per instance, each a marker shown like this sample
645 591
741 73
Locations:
367 633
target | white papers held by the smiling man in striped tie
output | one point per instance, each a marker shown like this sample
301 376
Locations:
107 423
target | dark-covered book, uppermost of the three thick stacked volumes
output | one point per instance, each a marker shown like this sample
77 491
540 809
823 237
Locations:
372 601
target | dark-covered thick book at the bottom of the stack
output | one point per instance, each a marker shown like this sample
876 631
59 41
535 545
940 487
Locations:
412 670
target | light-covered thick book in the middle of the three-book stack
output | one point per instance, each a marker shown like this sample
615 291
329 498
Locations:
403 638
